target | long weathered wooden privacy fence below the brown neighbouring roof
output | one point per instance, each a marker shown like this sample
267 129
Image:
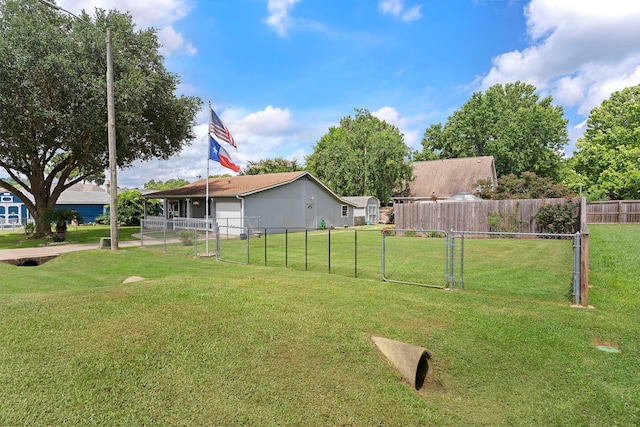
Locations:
472 215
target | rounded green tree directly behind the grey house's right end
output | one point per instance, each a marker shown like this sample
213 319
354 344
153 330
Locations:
362 156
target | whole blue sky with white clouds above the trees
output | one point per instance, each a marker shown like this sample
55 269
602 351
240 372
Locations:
281 72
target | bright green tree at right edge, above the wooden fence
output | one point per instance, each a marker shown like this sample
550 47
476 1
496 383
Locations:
607 162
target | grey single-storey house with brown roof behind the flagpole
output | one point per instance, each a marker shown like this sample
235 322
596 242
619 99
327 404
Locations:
276 201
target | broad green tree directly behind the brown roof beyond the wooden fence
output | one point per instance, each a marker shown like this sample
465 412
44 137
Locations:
511 123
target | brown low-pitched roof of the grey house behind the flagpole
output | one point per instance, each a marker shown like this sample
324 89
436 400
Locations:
241 185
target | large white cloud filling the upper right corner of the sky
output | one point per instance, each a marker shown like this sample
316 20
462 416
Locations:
580 51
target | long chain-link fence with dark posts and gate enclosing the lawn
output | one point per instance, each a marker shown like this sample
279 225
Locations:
513 265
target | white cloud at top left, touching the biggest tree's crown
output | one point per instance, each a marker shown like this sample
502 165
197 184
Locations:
160 14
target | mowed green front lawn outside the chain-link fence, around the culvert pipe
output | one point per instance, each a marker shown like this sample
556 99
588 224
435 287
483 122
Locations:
202 342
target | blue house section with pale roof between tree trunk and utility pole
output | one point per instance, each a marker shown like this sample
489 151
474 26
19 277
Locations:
88 199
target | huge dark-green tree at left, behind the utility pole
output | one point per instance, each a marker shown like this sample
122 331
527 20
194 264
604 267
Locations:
53 112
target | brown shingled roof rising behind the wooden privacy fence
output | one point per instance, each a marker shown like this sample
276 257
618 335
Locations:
442 179
